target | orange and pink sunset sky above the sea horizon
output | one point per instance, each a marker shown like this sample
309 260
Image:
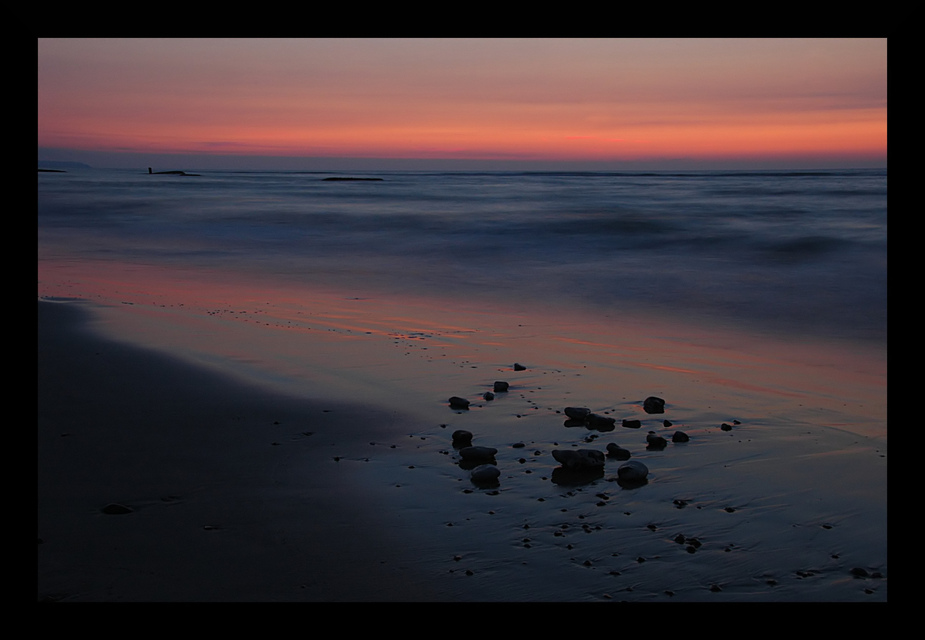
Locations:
604 103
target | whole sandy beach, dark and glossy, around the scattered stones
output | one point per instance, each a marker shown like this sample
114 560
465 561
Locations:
272 448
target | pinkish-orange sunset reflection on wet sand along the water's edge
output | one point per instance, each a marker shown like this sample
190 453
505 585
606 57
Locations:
387 344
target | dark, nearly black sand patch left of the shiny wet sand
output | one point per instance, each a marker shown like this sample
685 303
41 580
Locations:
205 464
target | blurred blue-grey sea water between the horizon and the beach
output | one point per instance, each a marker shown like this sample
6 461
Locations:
783 252
